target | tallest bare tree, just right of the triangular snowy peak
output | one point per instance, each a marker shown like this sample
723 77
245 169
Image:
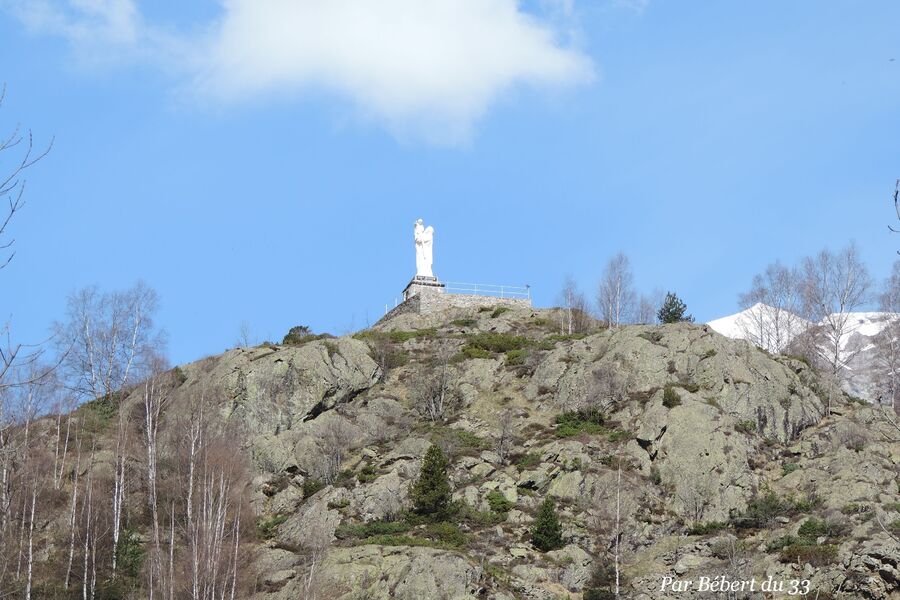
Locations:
833 287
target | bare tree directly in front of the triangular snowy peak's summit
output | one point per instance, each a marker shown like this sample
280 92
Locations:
773 305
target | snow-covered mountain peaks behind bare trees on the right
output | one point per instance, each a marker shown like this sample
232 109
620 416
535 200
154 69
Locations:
862 344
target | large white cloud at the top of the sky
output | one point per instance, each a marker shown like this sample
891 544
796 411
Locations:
432 67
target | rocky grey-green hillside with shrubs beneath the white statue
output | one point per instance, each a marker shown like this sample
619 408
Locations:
713 456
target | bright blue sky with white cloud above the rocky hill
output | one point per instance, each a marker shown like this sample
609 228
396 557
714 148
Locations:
274 178
